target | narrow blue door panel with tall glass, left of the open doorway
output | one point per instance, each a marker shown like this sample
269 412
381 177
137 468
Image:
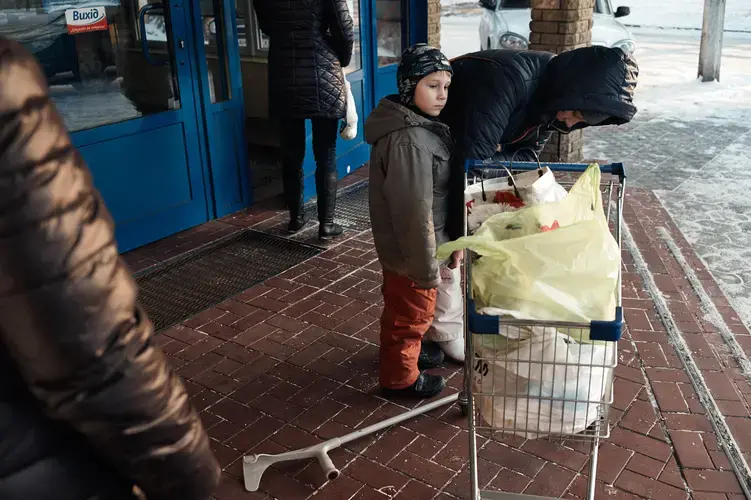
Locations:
217 27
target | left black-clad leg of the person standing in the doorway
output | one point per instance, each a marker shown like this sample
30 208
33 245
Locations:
293 155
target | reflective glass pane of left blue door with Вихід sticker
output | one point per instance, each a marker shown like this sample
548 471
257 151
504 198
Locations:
103 76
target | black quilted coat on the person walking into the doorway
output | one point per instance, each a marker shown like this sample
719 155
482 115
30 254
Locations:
311 41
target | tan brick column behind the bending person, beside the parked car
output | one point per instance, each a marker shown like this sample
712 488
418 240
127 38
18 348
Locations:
558 26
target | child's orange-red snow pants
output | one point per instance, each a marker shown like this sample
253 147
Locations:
407 314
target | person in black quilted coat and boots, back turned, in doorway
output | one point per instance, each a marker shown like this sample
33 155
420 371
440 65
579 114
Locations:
310 42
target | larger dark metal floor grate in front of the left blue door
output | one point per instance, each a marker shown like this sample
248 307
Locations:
202 278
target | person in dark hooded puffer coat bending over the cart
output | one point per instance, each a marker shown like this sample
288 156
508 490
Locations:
507 103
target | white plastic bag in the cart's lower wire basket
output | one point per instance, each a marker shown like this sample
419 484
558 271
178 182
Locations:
546 384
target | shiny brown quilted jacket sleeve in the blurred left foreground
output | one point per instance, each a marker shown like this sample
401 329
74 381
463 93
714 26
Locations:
68 312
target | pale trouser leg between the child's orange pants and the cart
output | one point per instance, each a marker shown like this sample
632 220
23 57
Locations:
447 329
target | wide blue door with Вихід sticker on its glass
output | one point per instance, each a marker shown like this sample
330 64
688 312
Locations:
124 88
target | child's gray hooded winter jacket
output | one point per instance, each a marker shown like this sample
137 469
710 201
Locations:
409 176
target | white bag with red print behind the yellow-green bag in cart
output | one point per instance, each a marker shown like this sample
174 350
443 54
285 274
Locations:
494 196
